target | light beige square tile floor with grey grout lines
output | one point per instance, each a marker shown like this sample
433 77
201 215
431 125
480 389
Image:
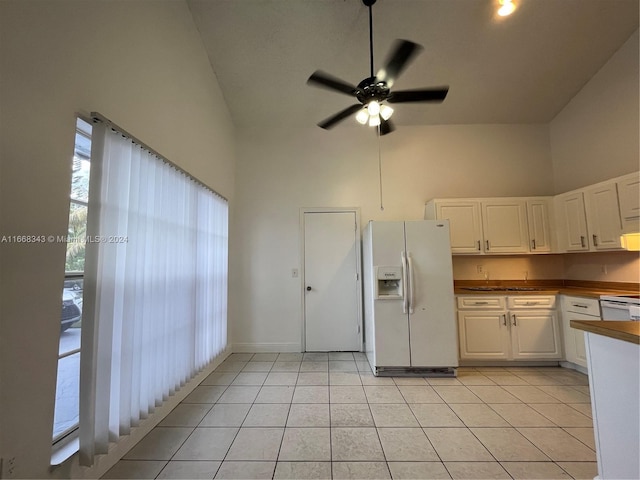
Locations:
324 415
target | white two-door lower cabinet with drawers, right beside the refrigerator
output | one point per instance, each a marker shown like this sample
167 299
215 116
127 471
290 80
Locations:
522 327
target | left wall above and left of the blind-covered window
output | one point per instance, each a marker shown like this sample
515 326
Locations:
141 64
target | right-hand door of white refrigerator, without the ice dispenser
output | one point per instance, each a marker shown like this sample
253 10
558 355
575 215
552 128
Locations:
432 325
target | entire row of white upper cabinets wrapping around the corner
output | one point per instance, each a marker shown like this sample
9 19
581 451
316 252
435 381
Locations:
587 219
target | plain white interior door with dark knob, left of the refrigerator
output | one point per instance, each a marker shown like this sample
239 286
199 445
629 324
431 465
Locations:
331 284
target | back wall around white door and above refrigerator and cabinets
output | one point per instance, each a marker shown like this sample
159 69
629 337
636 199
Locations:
281 171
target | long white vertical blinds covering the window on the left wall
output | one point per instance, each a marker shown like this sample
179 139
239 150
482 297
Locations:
155 294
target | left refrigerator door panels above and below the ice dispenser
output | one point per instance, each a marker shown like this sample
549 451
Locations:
390 326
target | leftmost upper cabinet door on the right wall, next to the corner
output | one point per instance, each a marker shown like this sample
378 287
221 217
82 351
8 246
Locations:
572 222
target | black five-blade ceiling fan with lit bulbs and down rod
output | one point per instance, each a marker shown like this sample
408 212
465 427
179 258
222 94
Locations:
374 90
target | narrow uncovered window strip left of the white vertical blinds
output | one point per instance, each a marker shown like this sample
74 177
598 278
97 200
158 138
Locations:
68 383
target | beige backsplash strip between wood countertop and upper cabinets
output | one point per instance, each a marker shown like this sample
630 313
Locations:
602 267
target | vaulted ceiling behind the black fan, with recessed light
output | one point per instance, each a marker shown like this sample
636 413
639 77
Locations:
519 69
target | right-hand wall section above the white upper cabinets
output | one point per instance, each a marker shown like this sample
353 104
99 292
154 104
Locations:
595 137
